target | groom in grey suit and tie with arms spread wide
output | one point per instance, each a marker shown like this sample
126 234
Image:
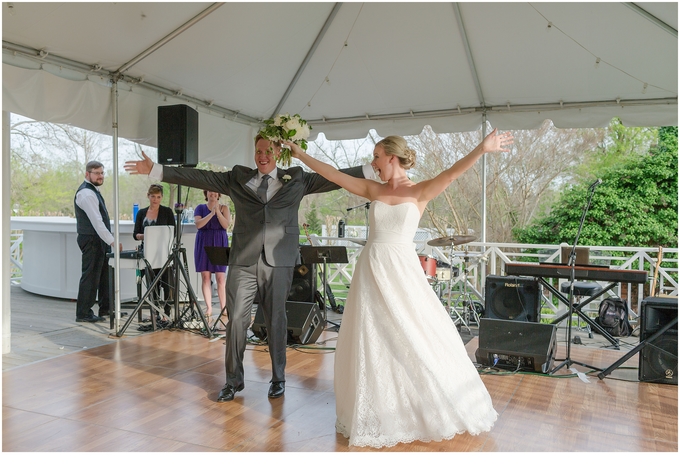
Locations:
264 249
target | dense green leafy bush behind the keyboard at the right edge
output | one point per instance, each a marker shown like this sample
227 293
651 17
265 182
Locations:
637 205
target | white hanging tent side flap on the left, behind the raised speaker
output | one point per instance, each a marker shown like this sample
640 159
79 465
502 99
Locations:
86 104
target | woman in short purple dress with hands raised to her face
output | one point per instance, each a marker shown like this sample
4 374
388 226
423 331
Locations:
212 220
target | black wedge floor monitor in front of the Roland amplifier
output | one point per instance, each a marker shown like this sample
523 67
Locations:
514 345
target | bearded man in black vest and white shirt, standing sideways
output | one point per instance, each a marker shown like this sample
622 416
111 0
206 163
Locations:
95 240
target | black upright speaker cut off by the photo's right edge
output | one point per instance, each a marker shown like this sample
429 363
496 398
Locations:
659 358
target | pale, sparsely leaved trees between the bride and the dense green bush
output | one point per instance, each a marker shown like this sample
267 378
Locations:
518 185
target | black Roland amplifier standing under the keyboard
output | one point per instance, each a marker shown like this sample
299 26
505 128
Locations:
512 298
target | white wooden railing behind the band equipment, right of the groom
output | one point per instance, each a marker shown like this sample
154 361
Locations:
482 260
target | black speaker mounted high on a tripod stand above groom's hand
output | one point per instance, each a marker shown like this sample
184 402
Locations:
177 135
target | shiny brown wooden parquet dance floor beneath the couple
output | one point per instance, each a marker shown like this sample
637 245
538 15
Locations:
156 392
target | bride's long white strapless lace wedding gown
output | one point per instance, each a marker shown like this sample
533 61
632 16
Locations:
401 369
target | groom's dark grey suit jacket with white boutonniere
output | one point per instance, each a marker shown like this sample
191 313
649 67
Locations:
272 226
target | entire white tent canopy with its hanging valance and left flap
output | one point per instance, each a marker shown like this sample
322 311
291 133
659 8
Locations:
345 67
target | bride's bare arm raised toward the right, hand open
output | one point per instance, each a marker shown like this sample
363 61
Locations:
493 142
